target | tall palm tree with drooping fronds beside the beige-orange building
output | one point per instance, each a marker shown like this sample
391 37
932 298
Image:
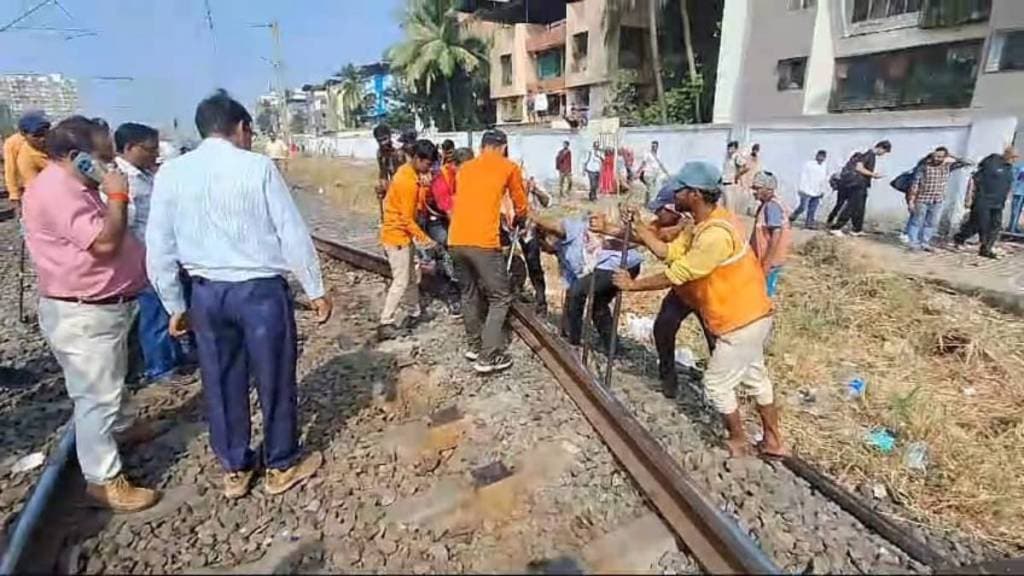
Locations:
436 49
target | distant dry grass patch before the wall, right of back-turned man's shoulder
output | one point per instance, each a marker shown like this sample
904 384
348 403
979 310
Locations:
349 184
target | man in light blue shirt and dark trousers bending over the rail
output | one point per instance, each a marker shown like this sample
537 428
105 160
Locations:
568 239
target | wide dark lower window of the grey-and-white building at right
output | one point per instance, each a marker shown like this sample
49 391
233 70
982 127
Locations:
936 76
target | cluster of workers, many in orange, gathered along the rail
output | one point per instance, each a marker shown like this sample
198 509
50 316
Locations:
490 215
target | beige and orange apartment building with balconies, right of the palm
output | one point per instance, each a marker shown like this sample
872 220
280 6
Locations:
557 58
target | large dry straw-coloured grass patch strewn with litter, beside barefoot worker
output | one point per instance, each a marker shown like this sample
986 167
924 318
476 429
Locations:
942 368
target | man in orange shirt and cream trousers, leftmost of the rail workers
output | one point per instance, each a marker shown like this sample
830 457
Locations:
399 233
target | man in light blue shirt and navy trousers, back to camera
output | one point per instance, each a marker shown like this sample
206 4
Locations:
227 216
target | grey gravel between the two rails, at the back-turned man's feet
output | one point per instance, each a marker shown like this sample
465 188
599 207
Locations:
346 380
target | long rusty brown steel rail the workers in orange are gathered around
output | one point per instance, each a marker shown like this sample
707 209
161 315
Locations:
715 541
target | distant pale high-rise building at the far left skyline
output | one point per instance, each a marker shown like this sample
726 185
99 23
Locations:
54 94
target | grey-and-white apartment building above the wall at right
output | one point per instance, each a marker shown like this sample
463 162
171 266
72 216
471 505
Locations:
783 59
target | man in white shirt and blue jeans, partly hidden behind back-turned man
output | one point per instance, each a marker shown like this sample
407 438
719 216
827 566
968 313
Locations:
139 148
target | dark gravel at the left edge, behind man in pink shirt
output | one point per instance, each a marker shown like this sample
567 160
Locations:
33 403
